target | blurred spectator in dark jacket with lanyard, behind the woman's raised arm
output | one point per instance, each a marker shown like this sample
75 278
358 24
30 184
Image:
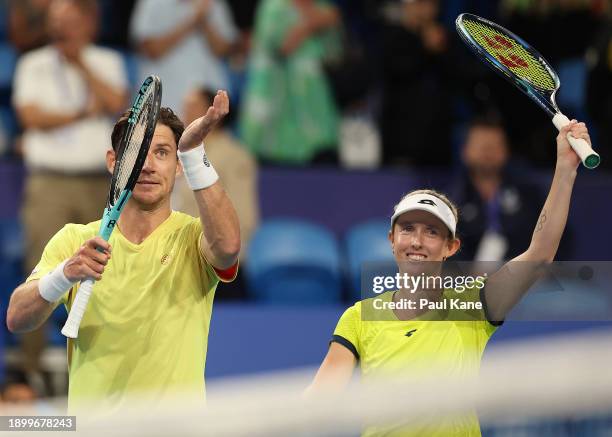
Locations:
498 209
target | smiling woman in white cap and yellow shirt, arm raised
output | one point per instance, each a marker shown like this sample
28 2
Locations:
385 339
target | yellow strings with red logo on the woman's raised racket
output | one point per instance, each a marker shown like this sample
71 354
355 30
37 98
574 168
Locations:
511 54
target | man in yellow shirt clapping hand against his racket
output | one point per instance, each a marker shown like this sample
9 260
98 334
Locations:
146 328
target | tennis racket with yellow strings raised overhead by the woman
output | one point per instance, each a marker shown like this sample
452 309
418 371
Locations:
523 66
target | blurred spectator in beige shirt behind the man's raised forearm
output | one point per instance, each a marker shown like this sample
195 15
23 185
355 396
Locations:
236 167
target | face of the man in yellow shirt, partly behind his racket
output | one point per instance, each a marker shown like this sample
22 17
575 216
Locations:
159 171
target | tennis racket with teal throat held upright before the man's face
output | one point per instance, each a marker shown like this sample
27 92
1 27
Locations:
131 155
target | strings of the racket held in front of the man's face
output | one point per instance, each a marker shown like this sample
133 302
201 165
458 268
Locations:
136 133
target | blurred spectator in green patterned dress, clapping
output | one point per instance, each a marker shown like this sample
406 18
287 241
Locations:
289 115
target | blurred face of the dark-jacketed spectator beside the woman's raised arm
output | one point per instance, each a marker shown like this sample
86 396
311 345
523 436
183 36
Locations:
485 149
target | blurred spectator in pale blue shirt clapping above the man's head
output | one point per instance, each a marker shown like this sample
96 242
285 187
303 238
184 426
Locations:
183 42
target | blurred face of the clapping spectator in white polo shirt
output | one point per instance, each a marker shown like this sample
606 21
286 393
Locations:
69 27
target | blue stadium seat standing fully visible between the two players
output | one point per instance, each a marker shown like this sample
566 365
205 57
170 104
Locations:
293 261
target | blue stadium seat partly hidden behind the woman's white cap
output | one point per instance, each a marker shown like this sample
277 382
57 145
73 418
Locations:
366 243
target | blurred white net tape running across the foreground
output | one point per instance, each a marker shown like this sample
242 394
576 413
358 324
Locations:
555 377
